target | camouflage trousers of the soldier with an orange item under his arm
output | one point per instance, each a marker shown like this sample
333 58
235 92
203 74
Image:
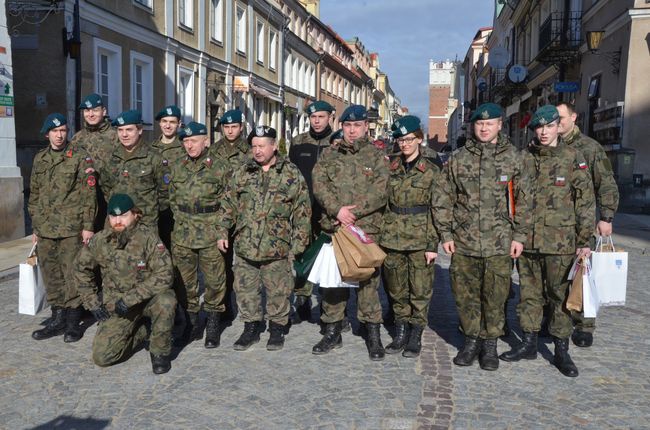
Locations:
481 286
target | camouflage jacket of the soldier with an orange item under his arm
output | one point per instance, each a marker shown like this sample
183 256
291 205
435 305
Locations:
480 221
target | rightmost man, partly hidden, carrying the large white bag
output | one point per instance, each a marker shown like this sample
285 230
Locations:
606 190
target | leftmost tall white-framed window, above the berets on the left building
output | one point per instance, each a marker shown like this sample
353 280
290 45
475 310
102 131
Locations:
108 75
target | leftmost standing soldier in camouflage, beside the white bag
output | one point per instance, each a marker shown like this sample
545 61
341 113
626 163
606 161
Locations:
62 204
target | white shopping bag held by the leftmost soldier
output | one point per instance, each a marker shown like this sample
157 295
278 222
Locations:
31 289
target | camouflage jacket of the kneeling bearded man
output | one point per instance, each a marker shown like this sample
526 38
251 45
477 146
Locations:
134 265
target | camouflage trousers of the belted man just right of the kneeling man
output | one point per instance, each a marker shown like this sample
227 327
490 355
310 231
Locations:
210 261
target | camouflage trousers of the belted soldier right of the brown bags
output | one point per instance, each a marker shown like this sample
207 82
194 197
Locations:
409 281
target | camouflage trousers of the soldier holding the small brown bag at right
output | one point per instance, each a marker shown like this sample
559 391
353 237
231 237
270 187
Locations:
543 279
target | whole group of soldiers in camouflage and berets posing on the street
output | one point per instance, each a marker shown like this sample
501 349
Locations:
126 228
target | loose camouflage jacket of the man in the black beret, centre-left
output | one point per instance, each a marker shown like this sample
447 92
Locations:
269 211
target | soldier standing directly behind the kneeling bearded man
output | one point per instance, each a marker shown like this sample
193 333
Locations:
134 168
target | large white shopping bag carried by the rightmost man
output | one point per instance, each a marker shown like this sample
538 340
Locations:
609 273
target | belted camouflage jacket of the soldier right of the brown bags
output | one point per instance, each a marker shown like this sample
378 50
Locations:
420 187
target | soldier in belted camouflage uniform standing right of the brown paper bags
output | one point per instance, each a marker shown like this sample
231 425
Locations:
408 235
